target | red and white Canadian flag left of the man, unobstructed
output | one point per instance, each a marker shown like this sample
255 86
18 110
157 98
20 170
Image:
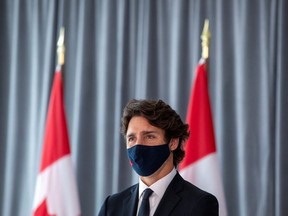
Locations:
56 191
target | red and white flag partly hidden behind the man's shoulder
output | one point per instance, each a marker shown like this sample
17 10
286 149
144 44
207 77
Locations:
200 165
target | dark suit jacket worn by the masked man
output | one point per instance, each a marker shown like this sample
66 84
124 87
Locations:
181 198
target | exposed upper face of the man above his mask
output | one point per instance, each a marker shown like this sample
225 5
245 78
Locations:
141 132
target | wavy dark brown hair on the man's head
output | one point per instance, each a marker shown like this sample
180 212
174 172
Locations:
161 115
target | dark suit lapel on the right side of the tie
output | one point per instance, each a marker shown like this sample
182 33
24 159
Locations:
170 198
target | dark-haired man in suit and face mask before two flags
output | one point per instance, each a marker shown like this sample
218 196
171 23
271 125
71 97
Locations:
155 135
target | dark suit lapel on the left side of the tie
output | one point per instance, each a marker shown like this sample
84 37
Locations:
130 203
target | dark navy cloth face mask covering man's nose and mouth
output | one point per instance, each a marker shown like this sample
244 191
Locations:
146 160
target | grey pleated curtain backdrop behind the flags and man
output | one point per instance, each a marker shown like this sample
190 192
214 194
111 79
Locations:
118 50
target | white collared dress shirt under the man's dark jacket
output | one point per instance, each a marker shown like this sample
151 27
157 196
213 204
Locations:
159 188
